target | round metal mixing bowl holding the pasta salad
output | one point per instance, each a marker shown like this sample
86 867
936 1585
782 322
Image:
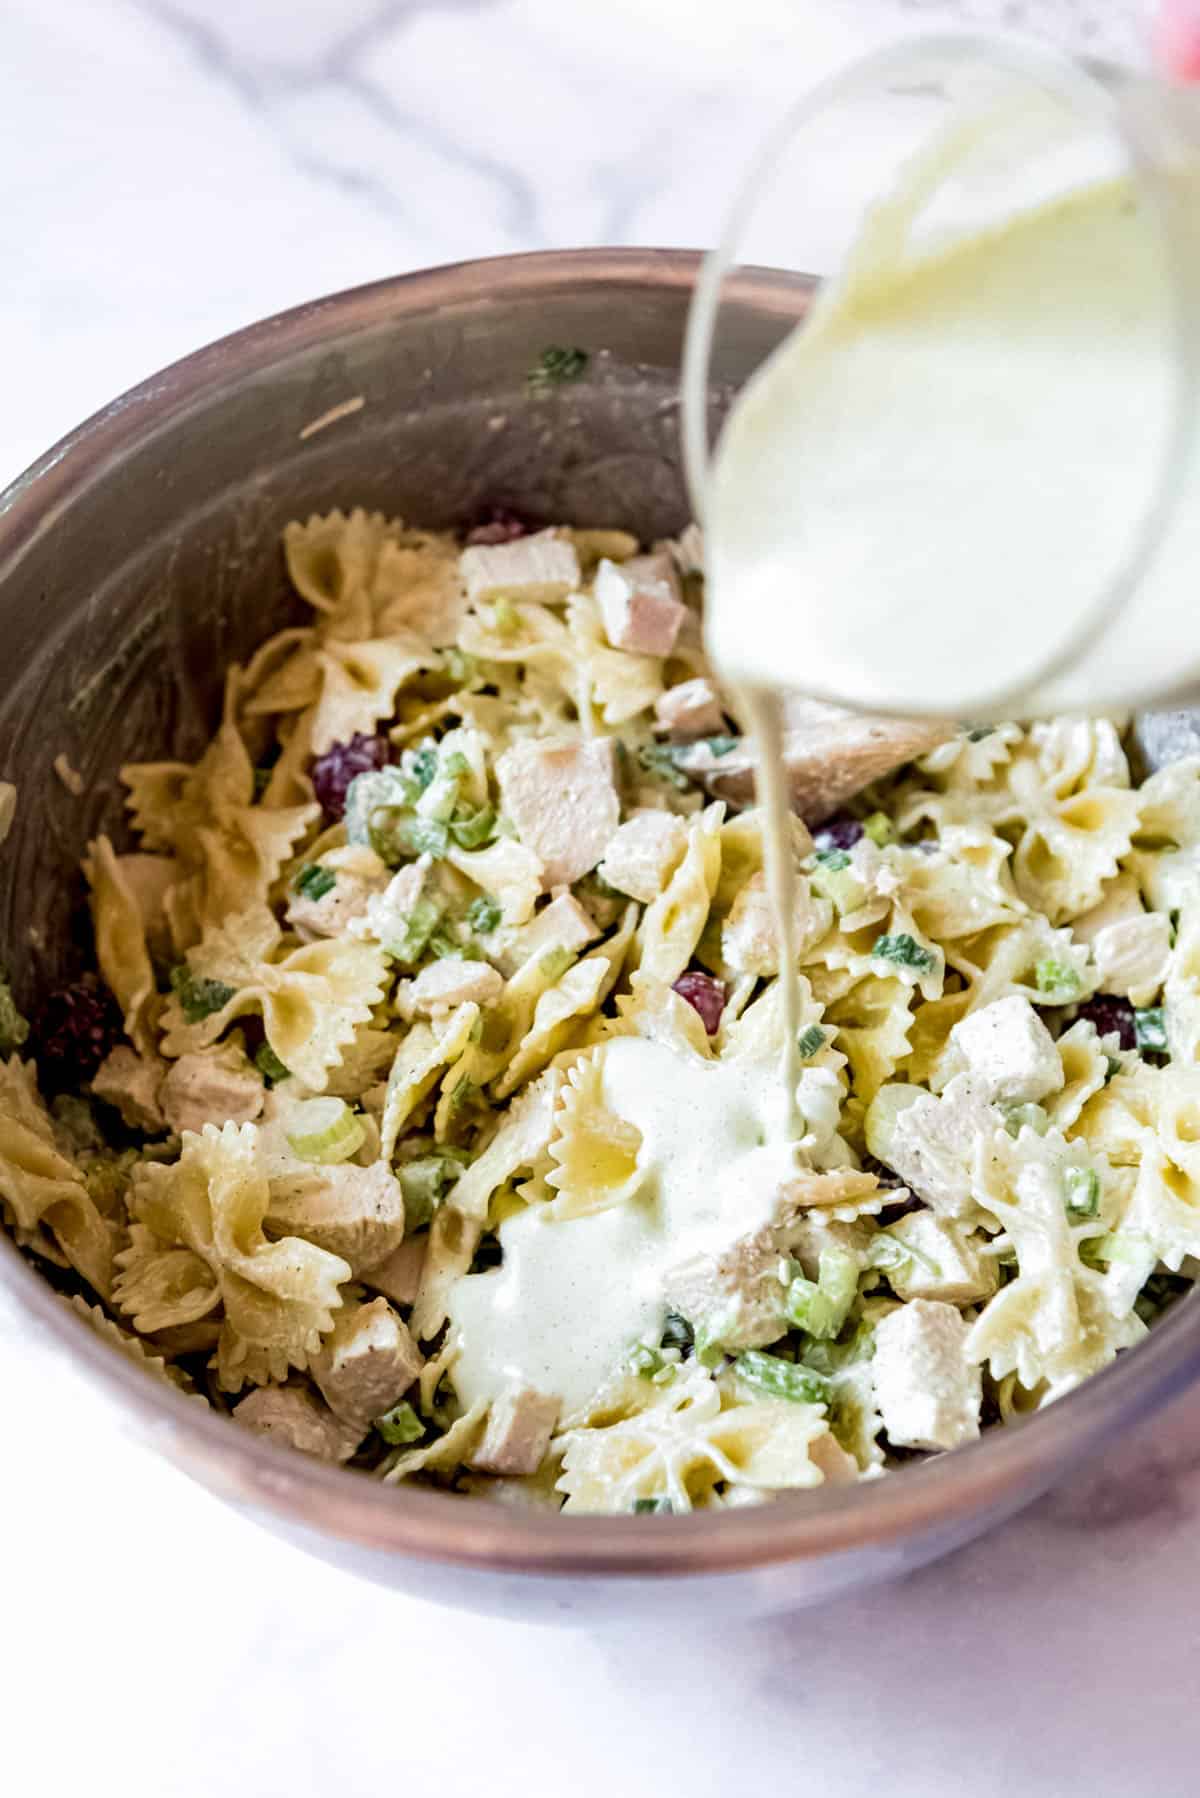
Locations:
143 555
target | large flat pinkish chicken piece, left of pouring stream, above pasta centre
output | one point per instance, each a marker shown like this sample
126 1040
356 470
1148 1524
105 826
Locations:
564 805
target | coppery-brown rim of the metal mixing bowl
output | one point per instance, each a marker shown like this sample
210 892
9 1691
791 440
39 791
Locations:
1007 1466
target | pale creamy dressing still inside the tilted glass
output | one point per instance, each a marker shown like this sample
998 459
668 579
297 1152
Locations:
924 494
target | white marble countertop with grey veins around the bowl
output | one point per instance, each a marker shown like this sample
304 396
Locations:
170 172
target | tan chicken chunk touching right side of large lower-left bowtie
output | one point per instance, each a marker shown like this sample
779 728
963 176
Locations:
355 1213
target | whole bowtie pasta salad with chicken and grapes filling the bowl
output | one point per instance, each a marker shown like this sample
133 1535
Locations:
418 1108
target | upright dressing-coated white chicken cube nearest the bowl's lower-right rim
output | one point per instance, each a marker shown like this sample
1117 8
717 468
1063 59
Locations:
926 1389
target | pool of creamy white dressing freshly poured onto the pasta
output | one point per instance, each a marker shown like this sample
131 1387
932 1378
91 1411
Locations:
575 1295
